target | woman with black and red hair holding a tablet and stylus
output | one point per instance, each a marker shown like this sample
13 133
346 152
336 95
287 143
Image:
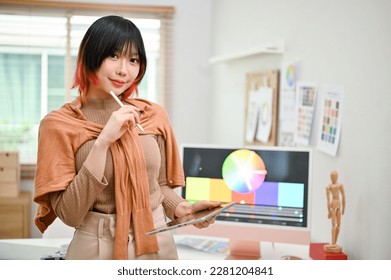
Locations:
96 170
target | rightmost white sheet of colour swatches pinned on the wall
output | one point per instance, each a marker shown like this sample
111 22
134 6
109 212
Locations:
331 119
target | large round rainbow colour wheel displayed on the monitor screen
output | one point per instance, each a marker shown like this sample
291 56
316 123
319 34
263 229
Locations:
243 171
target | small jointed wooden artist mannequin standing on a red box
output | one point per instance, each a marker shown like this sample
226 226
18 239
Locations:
334 203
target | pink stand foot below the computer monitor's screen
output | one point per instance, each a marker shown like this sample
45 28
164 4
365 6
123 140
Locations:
244 250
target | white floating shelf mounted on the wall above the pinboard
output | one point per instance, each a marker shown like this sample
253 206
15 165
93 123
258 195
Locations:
272 48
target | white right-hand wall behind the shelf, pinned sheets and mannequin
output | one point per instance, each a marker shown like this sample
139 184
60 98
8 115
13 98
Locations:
339 42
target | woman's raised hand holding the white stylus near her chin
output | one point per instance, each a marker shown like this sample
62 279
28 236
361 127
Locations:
120 120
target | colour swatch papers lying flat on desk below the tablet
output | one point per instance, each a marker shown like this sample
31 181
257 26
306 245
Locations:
202 244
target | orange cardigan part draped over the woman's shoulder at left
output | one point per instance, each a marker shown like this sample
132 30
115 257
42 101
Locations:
60 134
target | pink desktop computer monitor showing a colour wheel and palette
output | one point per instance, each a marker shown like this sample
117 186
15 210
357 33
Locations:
271 188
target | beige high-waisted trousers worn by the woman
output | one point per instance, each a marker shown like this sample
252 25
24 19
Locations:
94 239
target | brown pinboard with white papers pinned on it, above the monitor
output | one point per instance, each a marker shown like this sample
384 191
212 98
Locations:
261 108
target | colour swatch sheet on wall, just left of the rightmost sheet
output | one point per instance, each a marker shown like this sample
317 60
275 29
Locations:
305 103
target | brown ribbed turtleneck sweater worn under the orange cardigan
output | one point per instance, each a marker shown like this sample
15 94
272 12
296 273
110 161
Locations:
87 193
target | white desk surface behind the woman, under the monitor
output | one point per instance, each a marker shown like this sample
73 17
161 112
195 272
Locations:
34 248
